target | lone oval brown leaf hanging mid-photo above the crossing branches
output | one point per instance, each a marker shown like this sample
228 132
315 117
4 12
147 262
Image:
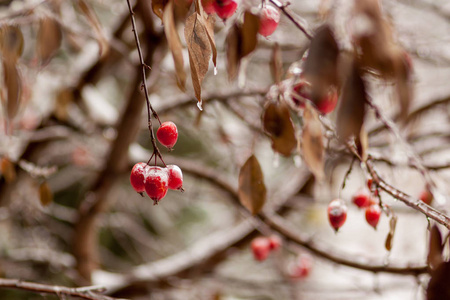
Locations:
252 190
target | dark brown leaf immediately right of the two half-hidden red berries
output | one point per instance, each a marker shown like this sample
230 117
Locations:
352 109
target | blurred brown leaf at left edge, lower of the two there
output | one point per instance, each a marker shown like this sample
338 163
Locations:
12 91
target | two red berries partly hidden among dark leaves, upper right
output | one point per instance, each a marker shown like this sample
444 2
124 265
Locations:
302 93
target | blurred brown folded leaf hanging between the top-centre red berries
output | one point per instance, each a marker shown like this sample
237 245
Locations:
241 41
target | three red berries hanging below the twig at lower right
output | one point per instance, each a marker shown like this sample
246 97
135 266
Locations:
337 210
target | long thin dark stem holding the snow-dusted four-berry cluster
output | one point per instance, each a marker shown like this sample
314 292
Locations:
150 110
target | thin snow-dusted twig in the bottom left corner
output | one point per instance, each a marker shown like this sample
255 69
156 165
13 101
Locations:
89 292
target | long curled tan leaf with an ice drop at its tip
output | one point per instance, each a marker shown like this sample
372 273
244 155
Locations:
199 48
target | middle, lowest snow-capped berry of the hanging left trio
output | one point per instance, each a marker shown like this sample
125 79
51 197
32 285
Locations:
156 183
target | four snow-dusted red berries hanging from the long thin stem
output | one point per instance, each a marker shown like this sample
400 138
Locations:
154 180
